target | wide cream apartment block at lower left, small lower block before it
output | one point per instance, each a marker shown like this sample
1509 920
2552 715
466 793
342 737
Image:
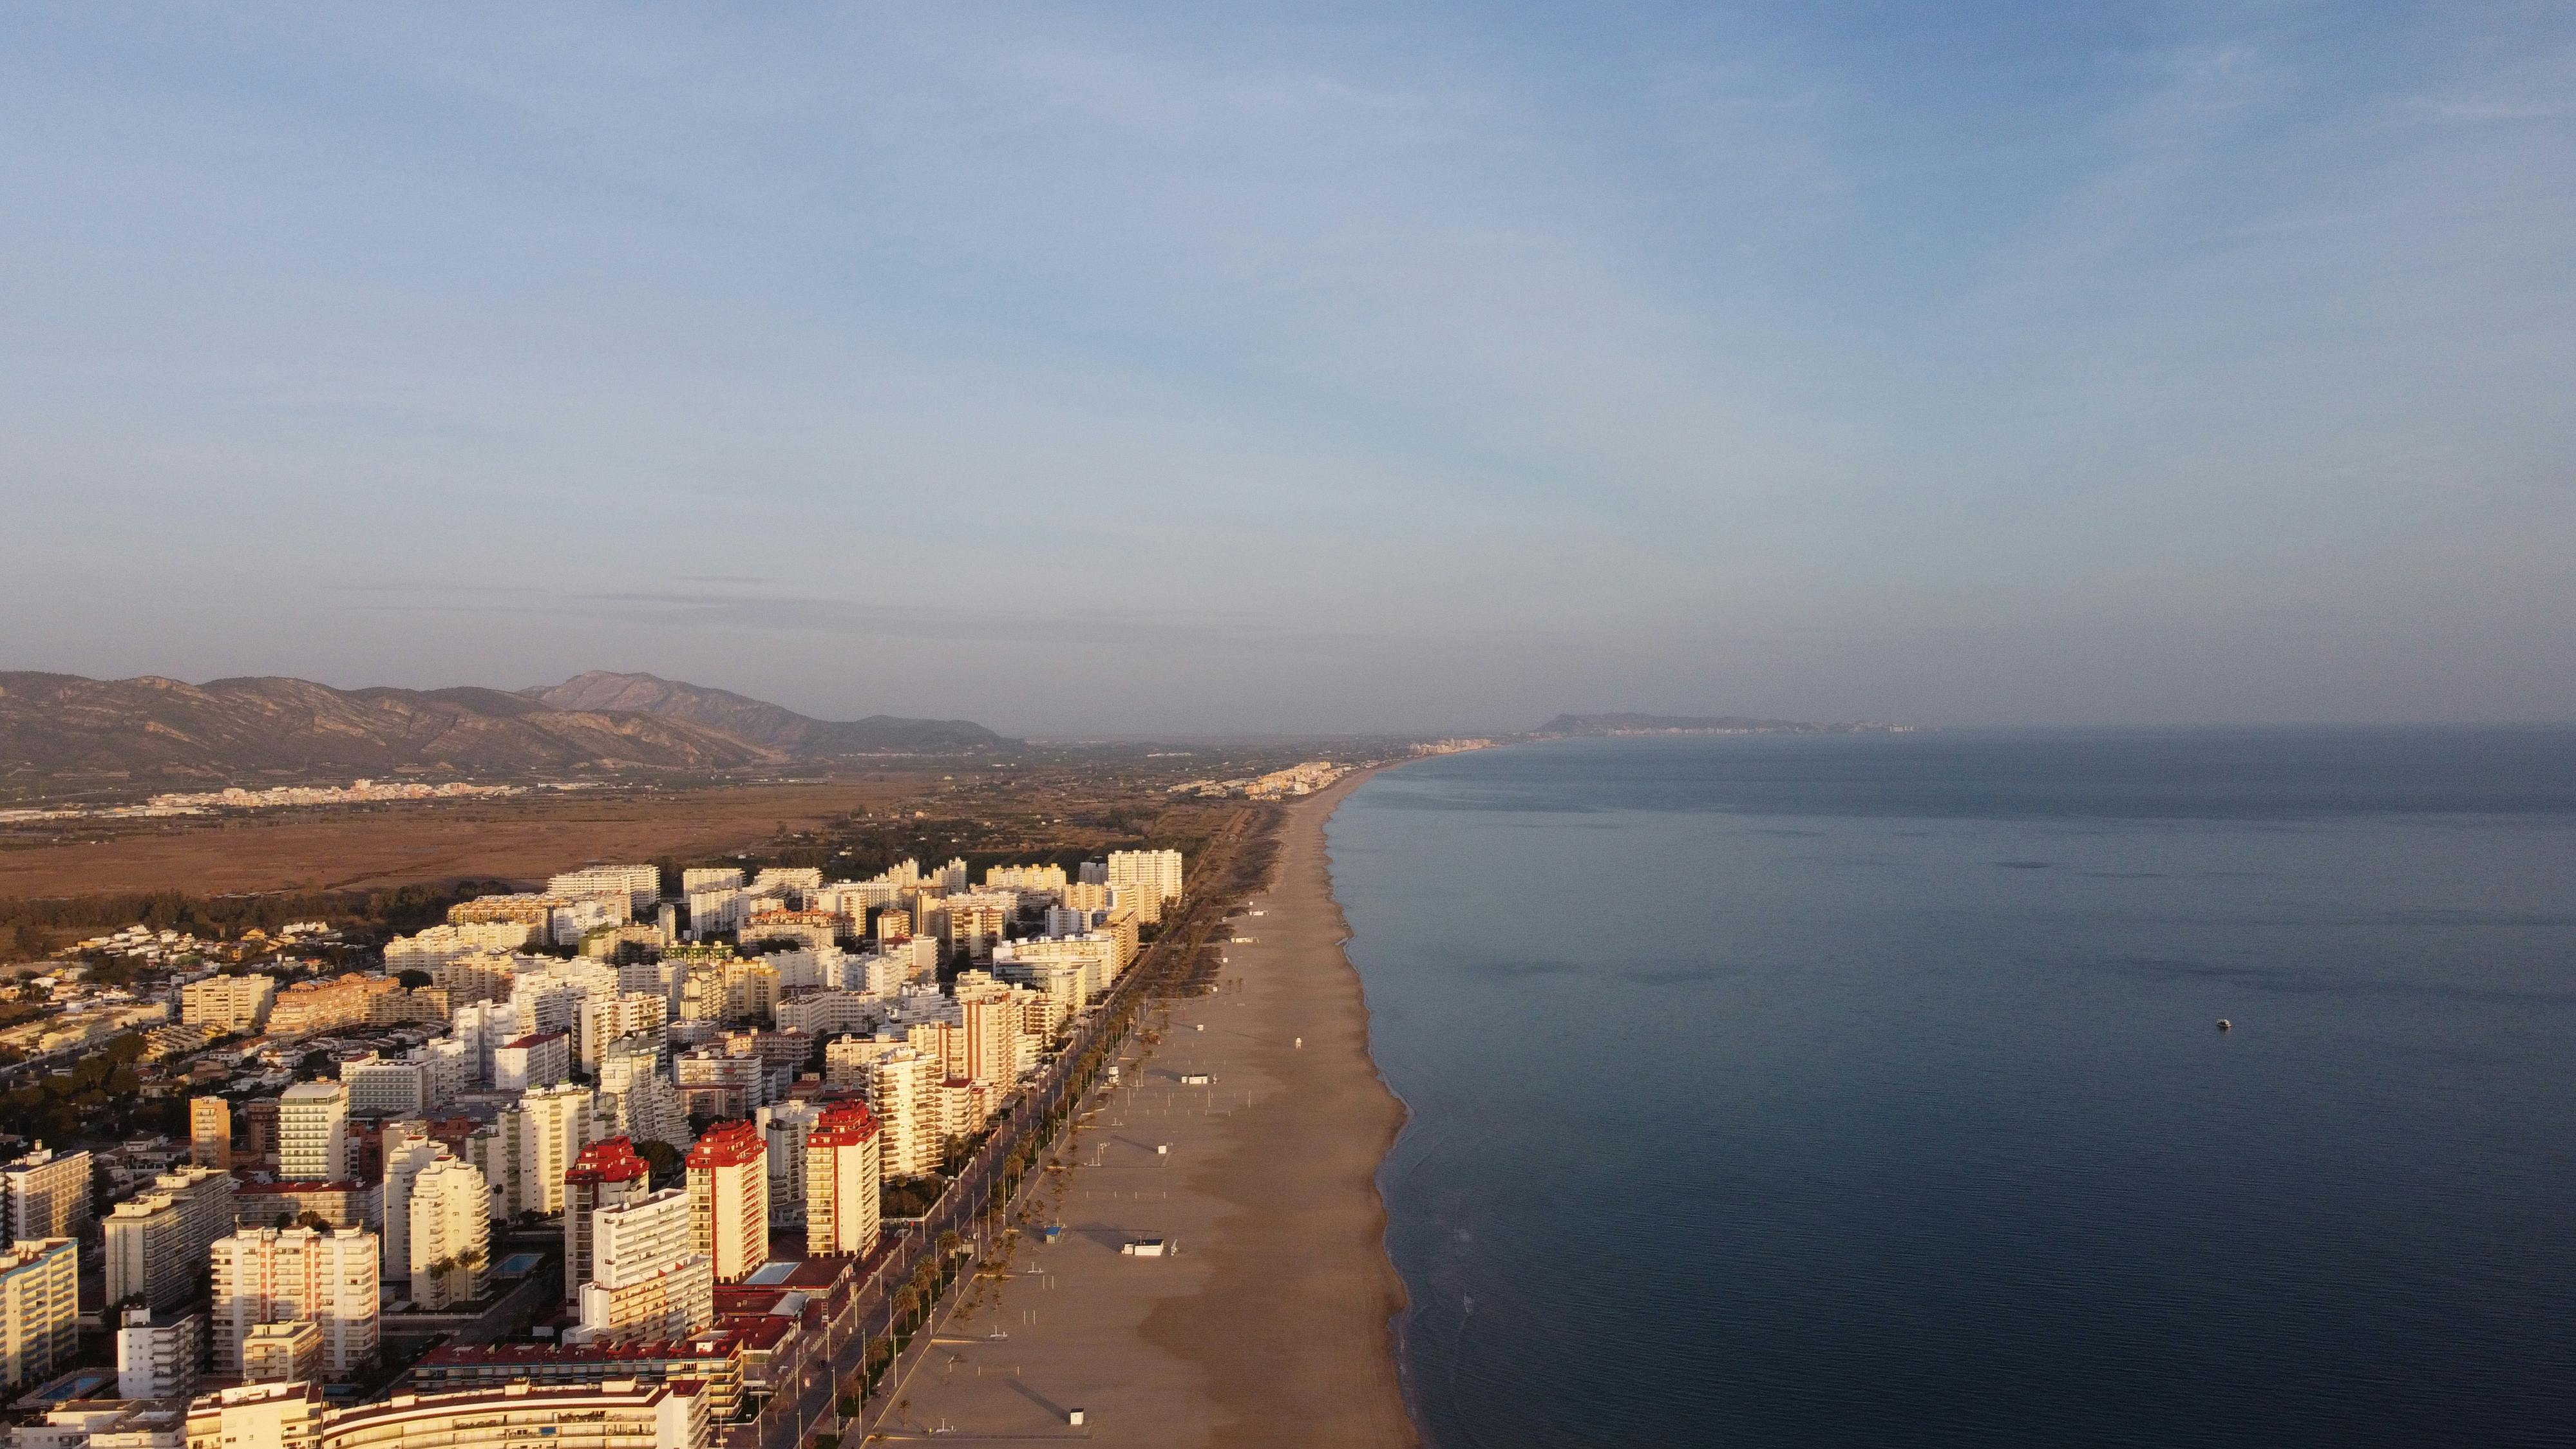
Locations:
269 1275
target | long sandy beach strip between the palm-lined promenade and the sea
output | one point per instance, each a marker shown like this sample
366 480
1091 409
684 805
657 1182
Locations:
1271 1321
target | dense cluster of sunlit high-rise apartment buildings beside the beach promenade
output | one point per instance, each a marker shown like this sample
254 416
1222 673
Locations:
697 1102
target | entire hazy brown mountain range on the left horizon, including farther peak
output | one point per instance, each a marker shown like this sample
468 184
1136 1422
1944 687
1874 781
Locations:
233 728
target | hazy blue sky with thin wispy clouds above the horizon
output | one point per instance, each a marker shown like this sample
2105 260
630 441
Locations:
1305 370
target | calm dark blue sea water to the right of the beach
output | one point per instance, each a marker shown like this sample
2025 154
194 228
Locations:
1869 1089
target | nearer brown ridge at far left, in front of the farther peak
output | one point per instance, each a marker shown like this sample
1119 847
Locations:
236 728
